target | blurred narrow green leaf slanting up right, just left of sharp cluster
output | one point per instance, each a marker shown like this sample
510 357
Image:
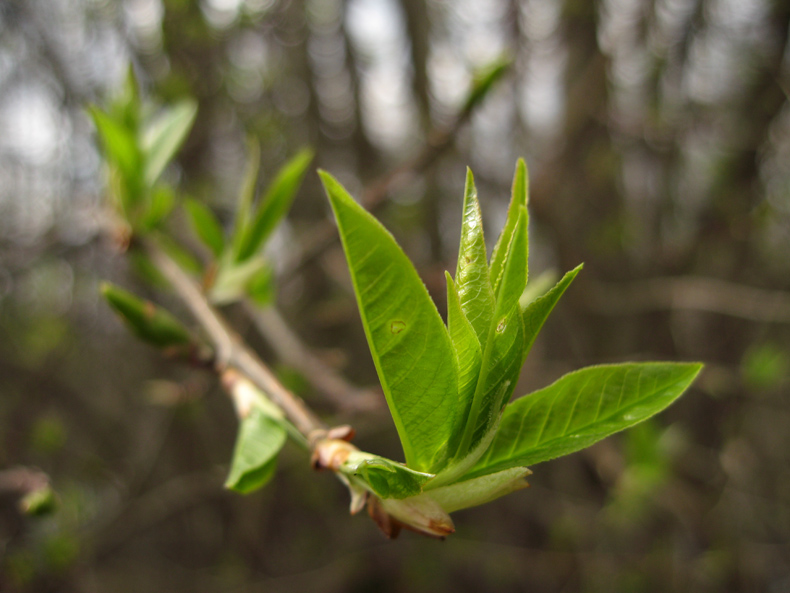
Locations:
274 205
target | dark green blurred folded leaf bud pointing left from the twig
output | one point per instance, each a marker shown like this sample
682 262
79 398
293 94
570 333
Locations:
146 320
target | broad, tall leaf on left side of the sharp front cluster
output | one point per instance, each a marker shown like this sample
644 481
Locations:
408 340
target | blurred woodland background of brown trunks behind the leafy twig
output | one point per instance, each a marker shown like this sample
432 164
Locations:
657 133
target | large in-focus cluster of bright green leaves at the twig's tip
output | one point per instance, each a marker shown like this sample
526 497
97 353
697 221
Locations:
448 385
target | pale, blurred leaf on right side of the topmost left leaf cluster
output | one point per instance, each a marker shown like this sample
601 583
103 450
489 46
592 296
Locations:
163 136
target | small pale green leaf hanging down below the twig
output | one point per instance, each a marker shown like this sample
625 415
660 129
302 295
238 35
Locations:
258 442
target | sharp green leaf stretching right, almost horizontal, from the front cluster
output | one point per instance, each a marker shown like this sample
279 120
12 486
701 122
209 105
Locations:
582 408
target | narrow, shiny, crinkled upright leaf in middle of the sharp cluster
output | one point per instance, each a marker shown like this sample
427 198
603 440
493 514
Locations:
471 276
